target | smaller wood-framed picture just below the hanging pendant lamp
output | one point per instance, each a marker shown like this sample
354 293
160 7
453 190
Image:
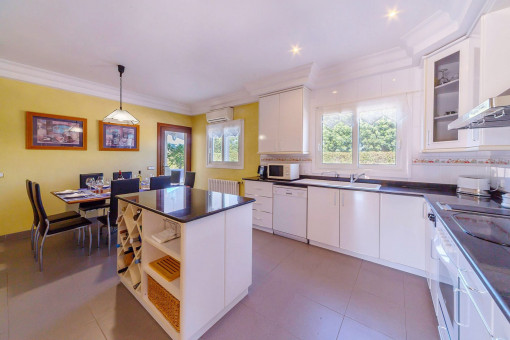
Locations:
118 137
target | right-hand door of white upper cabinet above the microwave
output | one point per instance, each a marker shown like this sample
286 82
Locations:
290 128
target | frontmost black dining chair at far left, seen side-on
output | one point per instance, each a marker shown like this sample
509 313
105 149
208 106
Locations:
46 228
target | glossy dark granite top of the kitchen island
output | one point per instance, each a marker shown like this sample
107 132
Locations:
185 204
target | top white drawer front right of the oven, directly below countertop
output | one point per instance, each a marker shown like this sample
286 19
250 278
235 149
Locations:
477 291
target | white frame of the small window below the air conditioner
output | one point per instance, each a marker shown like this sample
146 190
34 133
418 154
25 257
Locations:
209 146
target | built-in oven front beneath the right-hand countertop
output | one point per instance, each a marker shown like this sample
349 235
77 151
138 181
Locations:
446 284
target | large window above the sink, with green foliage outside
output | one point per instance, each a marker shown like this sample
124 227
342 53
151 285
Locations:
361 135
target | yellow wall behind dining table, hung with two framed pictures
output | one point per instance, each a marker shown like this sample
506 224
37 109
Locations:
57 169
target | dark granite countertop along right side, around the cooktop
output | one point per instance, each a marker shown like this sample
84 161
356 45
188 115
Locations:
490 261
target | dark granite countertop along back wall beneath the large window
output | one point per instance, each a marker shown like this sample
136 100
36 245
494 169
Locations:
387 187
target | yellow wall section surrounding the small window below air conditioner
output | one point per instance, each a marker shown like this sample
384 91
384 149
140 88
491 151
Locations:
250 114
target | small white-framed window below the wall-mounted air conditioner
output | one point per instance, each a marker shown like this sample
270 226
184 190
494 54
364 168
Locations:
225 145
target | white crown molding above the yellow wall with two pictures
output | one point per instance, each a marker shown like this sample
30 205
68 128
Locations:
30 74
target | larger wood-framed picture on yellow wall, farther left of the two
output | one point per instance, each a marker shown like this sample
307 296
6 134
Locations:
52 132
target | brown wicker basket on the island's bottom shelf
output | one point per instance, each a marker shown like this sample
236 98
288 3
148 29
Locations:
165 302
